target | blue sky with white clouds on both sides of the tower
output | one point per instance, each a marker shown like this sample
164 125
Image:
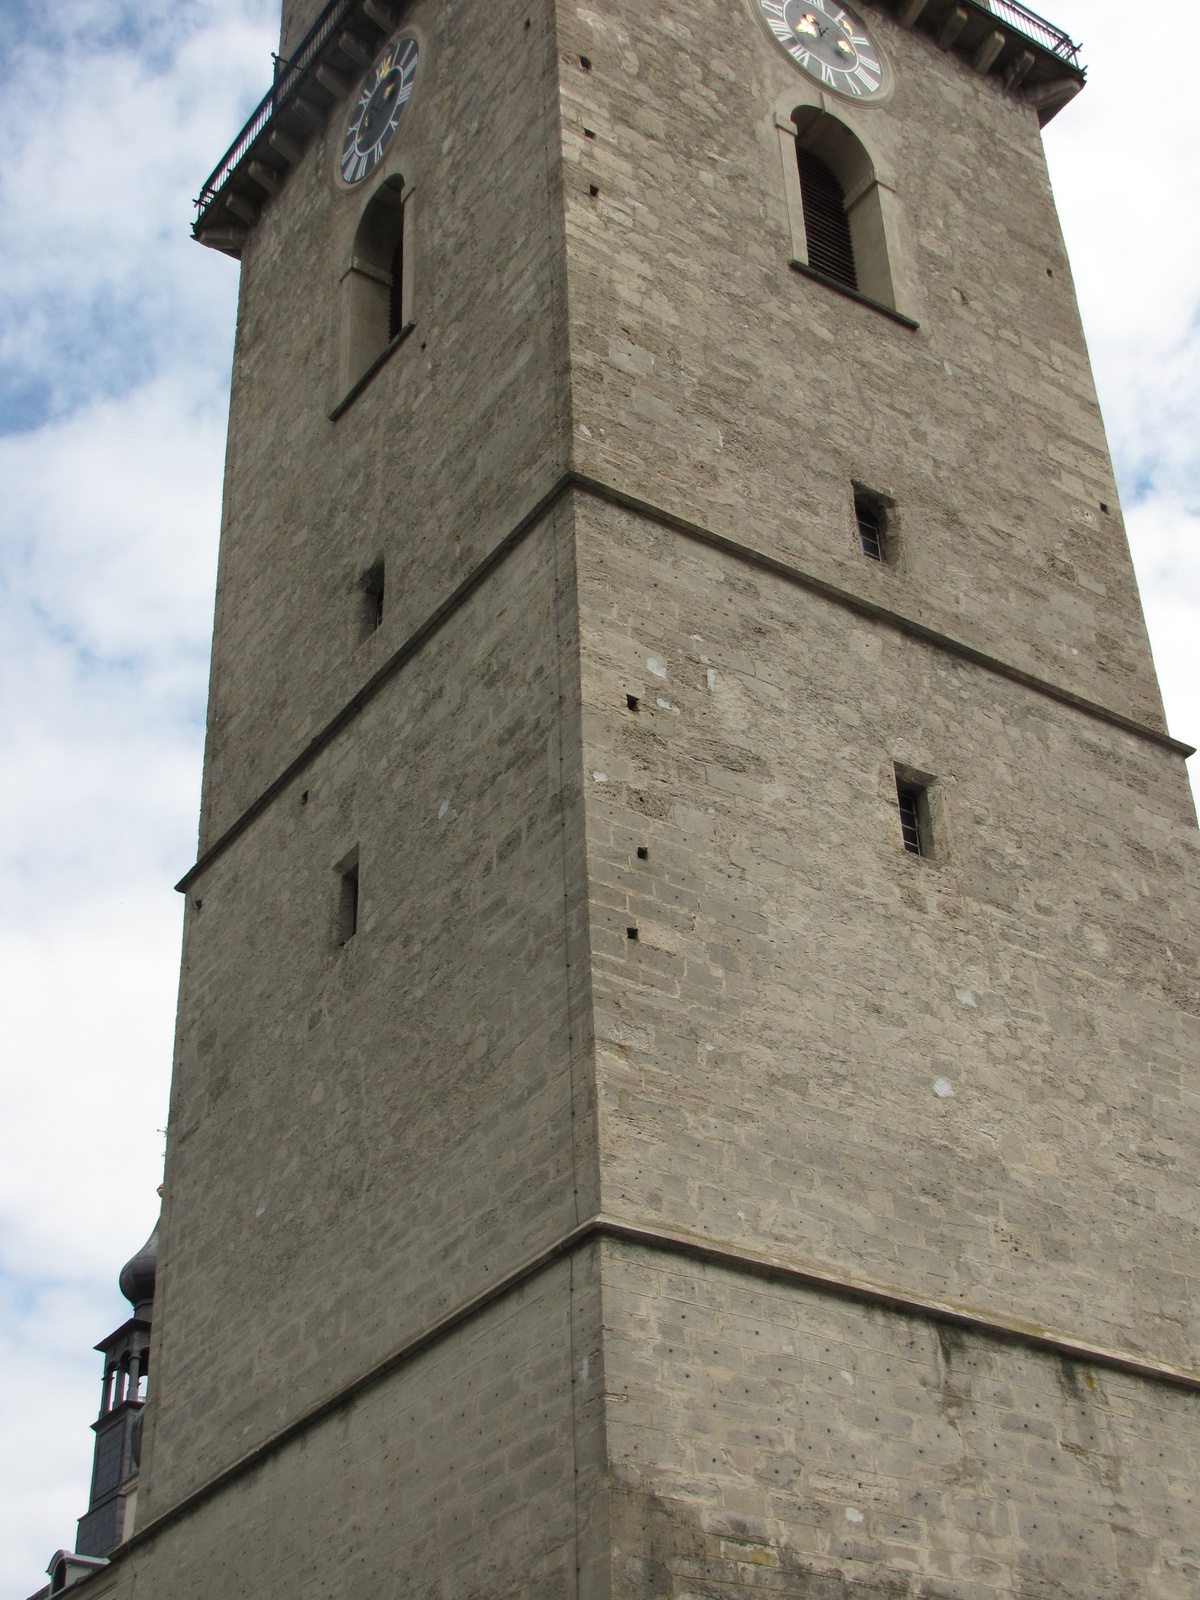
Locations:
116 338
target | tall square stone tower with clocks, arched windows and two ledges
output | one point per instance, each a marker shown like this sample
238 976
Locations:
687 1058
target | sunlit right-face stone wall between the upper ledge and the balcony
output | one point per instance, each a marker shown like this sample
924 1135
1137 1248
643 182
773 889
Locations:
713 380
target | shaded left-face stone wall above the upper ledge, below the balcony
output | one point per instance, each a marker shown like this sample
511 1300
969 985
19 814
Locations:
454 441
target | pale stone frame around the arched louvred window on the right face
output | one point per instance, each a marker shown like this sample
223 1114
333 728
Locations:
873 206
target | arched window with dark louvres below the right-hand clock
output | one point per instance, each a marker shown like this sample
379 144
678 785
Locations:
841 209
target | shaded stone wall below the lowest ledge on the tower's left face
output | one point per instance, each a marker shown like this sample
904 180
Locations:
474 1471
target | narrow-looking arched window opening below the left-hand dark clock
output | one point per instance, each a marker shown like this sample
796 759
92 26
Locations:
377 287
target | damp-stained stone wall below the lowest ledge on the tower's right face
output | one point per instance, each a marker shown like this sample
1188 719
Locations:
774 1442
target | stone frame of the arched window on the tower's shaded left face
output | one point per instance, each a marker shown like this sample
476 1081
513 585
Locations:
364 345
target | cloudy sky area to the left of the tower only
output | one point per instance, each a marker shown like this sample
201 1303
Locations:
114 350
